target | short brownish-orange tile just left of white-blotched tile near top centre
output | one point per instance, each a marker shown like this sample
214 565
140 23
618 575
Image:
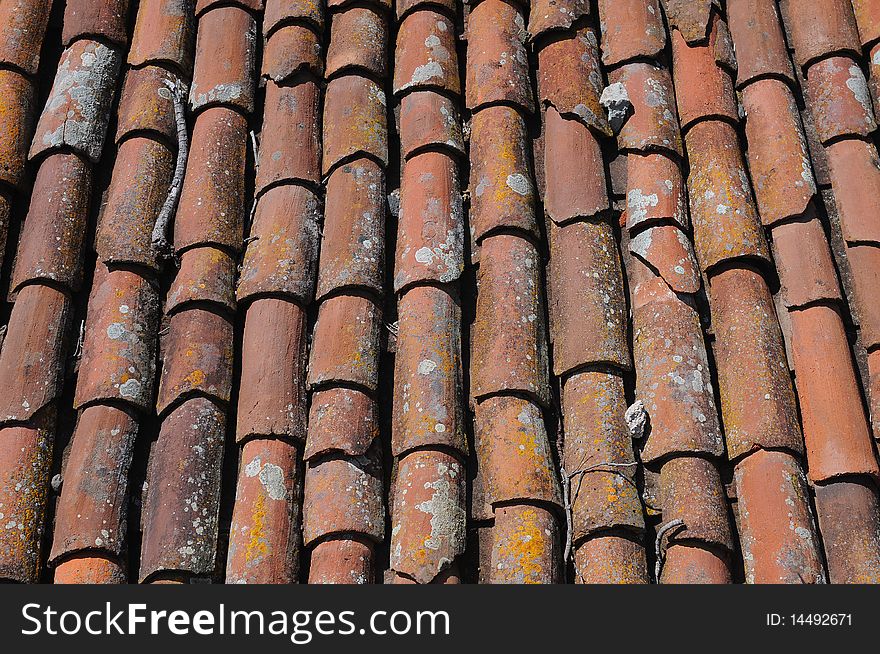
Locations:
358 37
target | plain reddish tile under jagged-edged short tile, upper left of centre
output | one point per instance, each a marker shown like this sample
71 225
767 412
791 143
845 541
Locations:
291 144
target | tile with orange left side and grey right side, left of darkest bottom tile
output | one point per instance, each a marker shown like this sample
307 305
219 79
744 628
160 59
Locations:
92 511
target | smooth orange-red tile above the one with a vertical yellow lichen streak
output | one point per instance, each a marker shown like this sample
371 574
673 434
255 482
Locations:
272 399
